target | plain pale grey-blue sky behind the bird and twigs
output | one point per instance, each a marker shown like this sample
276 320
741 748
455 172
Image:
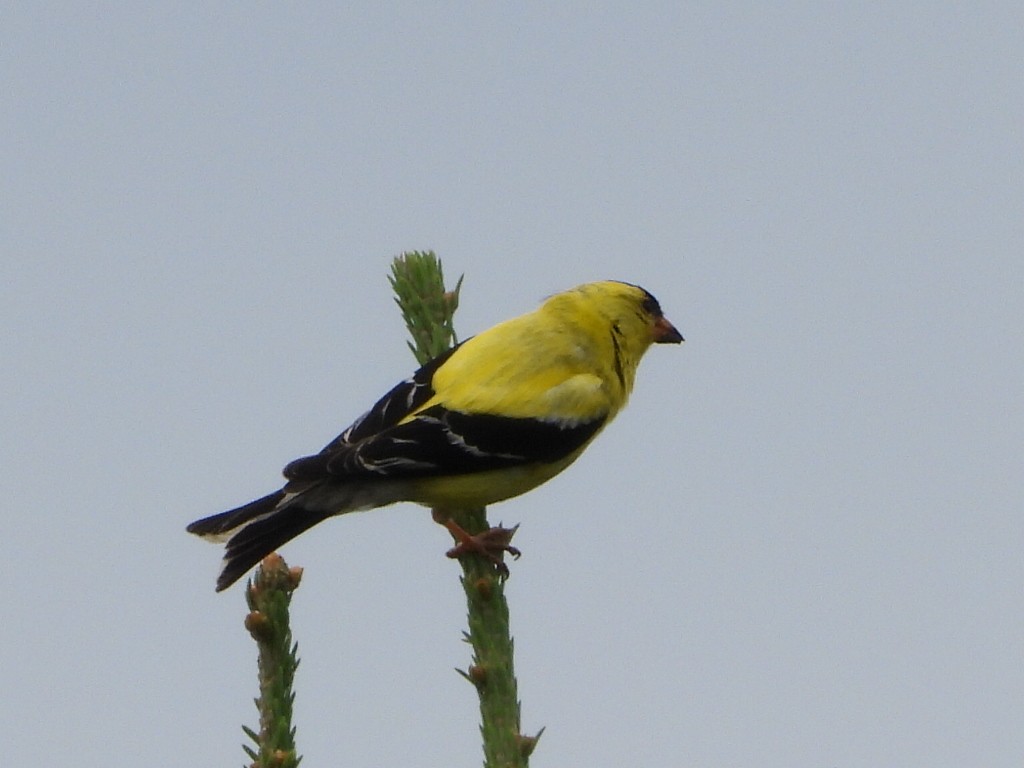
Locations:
800 546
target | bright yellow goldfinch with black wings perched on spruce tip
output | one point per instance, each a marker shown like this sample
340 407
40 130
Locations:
493 418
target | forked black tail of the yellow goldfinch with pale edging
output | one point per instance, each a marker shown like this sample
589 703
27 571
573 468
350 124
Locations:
257 530
